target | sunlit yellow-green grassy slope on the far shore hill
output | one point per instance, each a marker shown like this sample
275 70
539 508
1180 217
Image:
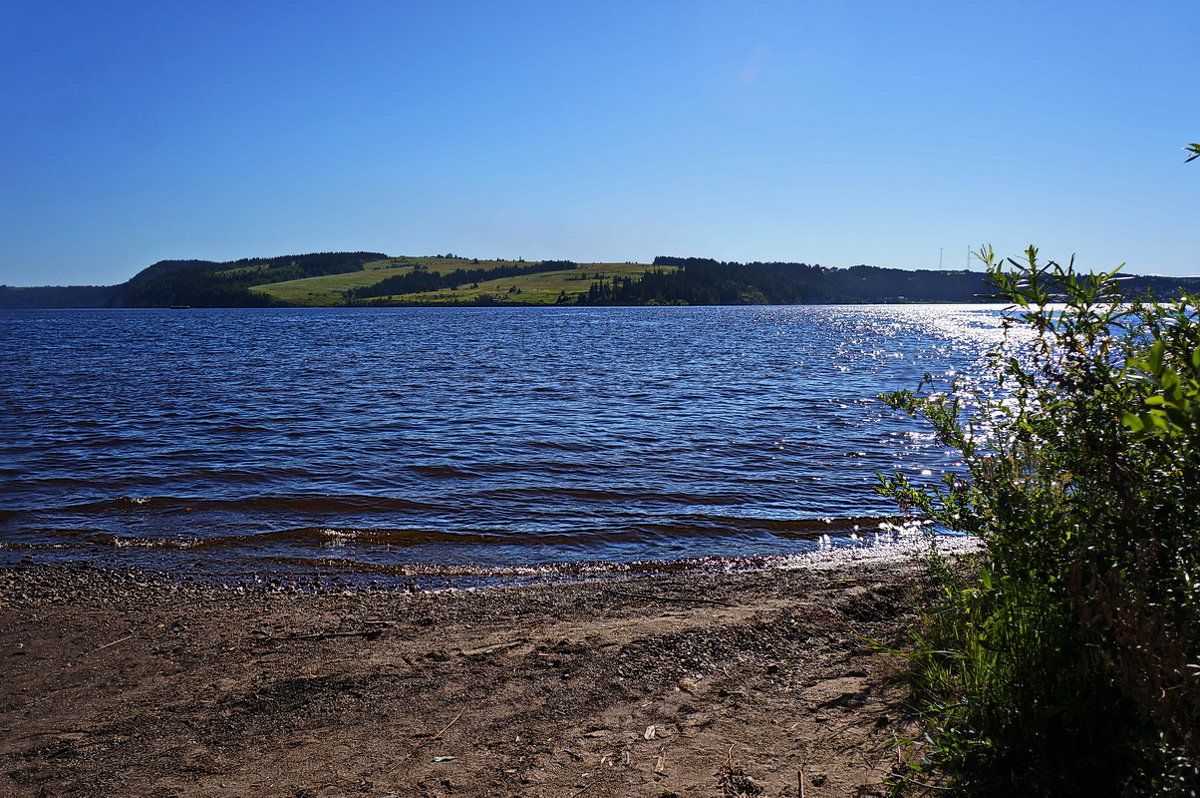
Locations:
541 289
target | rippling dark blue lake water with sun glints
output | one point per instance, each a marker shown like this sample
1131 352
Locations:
441 443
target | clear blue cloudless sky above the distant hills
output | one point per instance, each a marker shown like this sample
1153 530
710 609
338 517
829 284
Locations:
826 133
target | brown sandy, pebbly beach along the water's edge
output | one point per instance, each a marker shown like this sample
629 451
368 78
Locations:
760 683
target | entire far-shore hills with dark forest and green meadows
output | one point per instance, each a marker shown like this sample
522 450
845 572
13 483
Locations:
337 279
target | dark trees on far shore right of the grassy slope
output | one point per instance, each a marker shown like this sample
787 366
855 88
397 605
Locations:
703 281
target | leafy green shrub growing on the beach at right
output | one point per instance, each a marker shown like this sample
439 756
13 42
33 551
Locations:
1067 659
